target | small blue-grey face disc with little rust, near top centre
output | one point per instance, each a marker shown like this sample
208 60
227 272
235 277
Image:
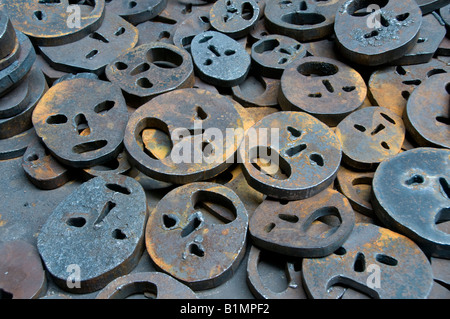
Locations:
220 60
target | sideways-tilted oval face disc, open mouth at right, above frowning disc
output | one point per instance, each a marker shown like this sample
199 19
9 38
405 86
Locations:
288 228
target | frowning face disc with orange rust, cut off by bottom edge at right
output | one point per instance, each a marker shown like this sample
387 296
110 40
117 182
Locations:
403 269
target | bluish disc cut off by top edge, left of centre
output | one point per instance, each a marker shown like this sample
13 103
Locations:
136 11
